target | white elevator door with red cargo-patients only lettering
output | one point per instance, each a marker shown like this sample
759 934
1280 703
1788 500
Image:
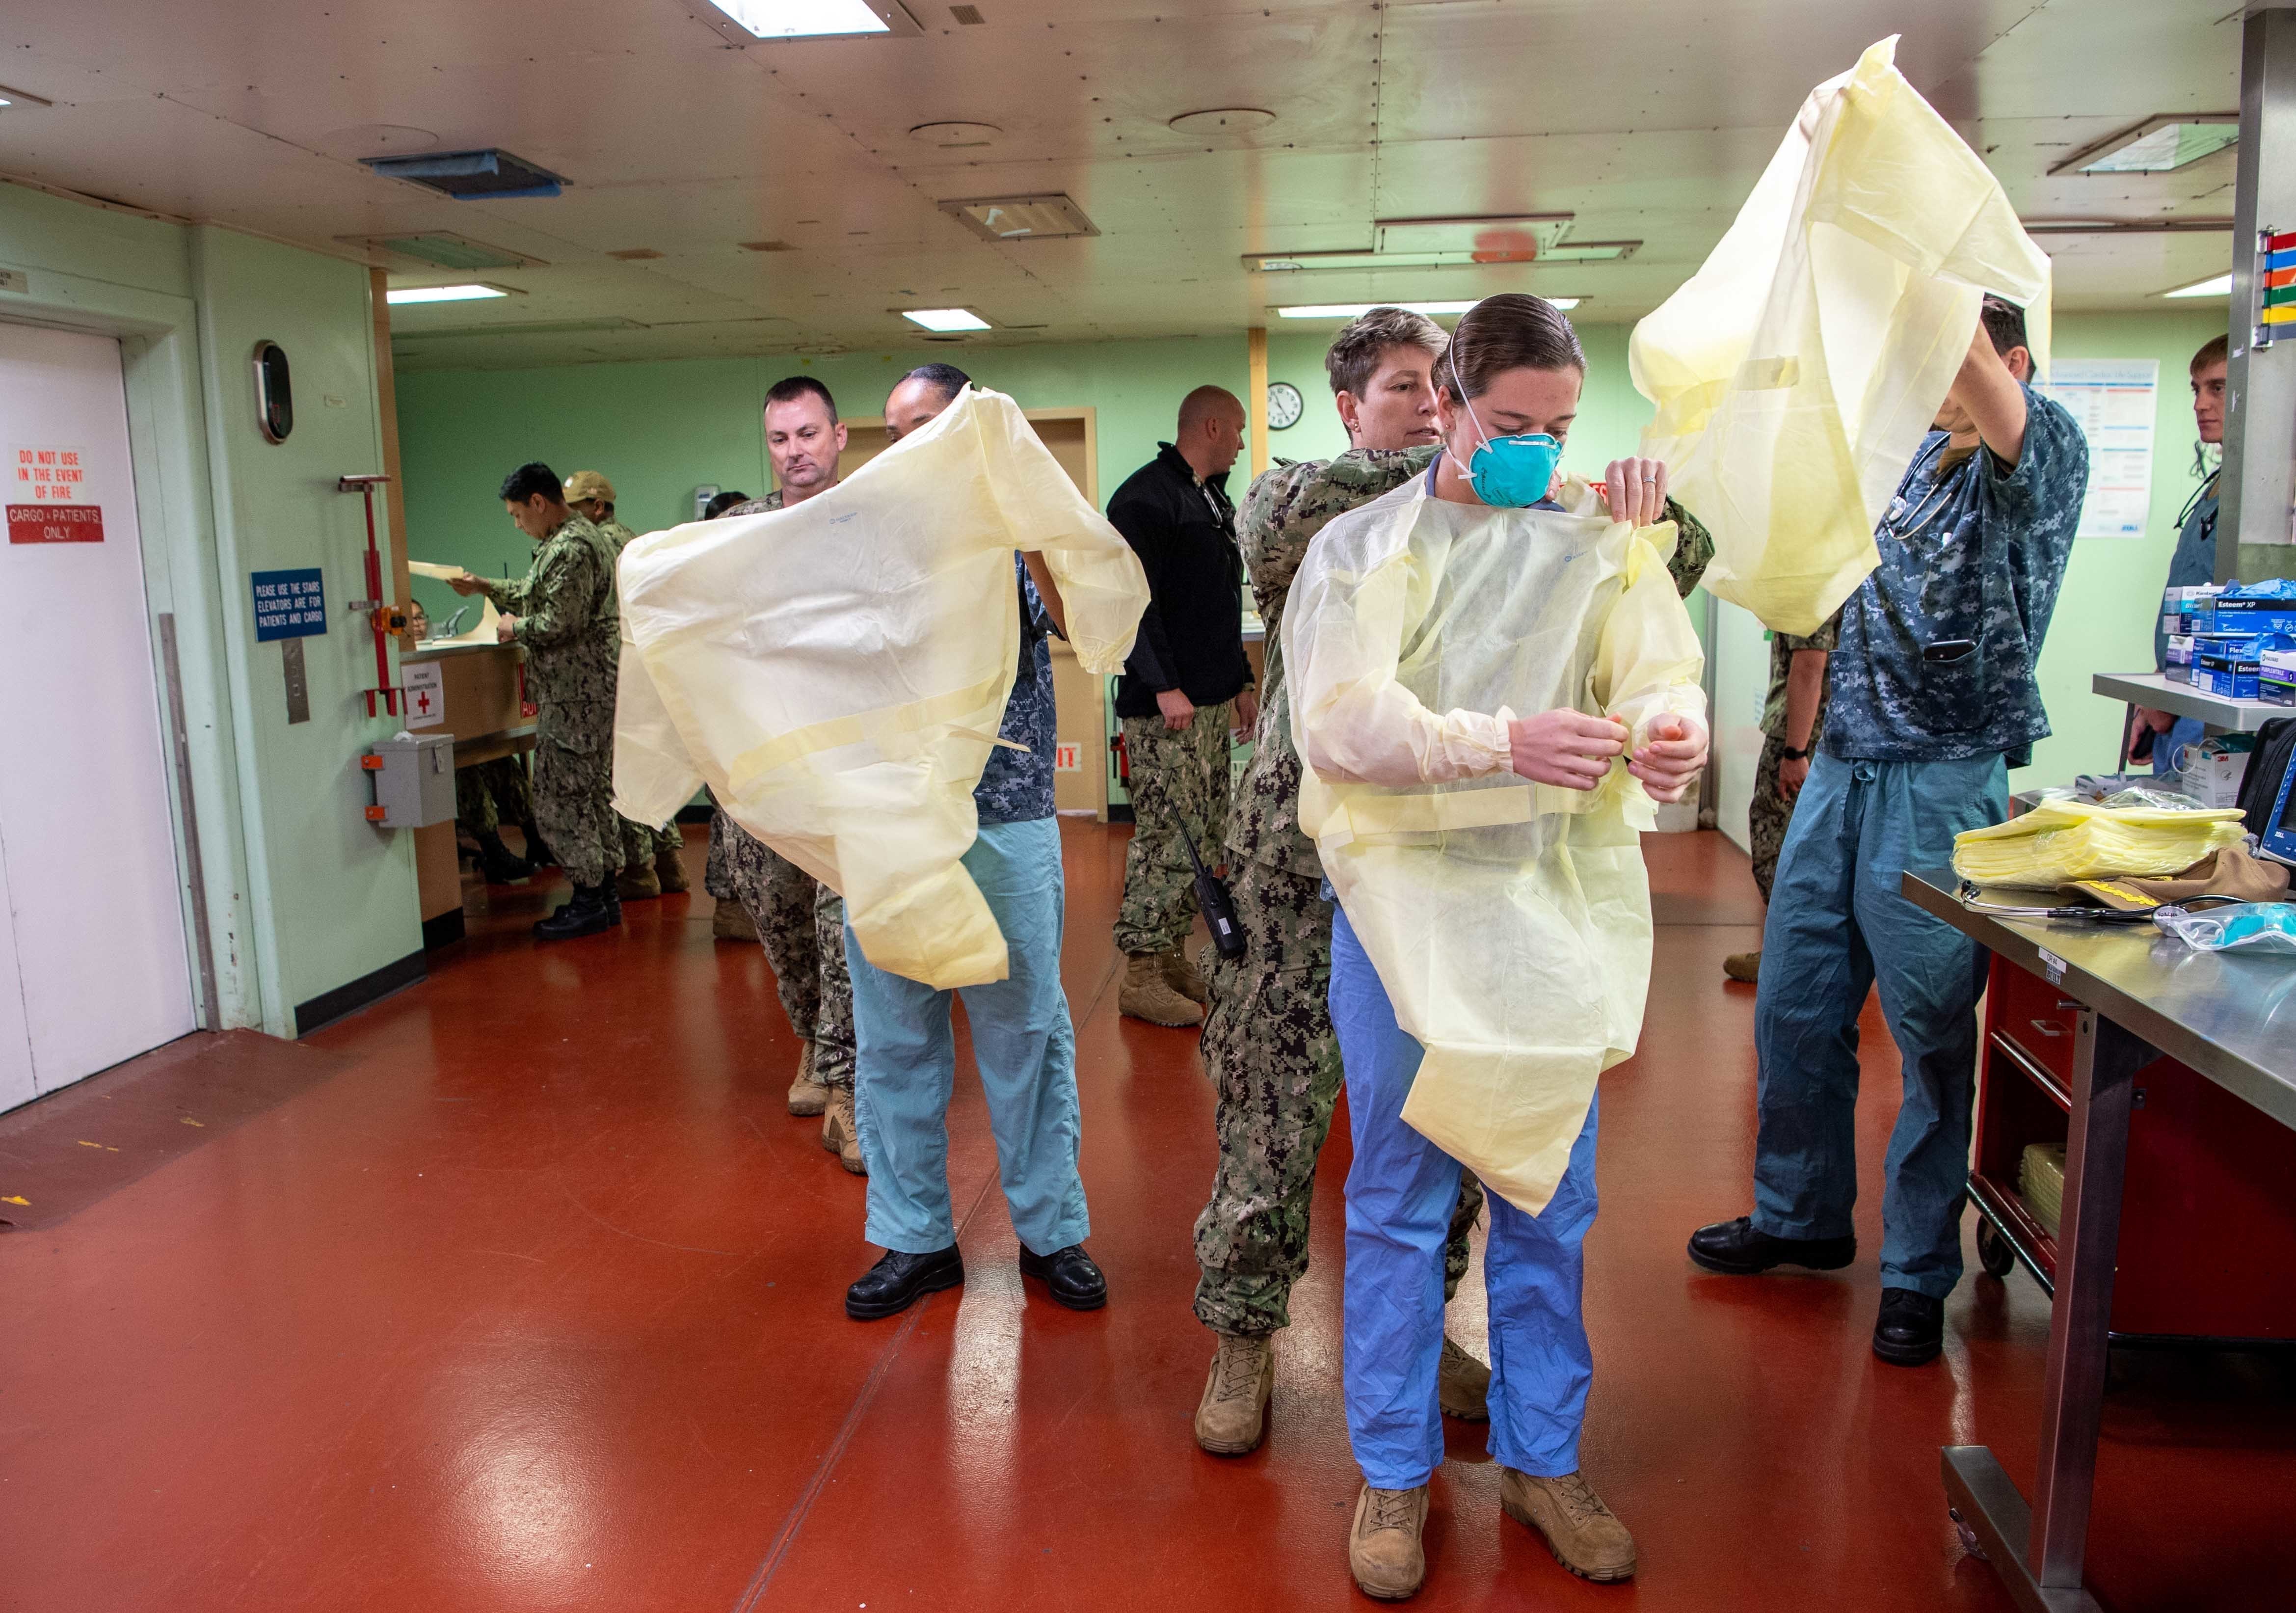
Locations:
95 959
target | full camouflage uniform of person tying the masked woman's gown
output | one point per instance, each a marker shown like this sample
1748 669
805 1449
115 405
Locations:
1269 1040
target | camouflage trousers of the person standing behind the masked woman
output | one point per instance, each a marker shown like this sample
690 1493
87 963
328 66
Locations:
1273 1060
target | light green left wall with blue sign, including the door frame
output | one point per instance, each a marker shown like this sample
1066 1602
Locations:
302 895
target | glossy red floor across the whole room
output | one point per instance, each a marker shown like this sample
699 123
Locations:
522 1290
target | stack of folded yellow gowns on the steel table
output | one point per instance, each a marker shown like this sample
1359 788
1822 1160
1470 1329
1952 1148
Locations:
2061 842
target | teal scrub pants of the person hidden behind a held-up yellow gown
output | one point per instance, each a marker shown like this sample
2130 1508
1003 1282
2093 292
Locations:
1025 1049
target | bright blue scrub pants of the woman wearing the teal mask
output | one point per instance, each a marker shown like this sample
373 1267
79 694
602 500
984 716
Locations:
1402 1196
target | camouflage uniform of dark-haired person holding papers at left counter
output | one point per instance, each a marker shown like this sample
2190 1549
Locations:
573 642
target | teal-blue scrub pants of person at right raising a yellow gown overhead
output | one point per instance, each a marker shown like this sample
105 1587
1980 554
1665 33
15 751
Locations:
1838 927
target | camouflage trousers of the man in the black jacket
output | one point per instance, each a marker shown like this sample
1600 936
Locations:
1174 780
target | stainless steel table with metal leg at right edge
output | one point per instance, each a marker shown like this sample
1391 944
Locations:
2141 996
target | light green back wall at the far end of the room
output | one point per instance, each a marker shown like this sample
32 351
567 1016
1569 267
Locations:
662 429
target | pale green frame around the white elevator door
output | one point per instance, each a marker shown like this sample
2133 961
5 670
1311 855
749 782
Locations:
160 362
